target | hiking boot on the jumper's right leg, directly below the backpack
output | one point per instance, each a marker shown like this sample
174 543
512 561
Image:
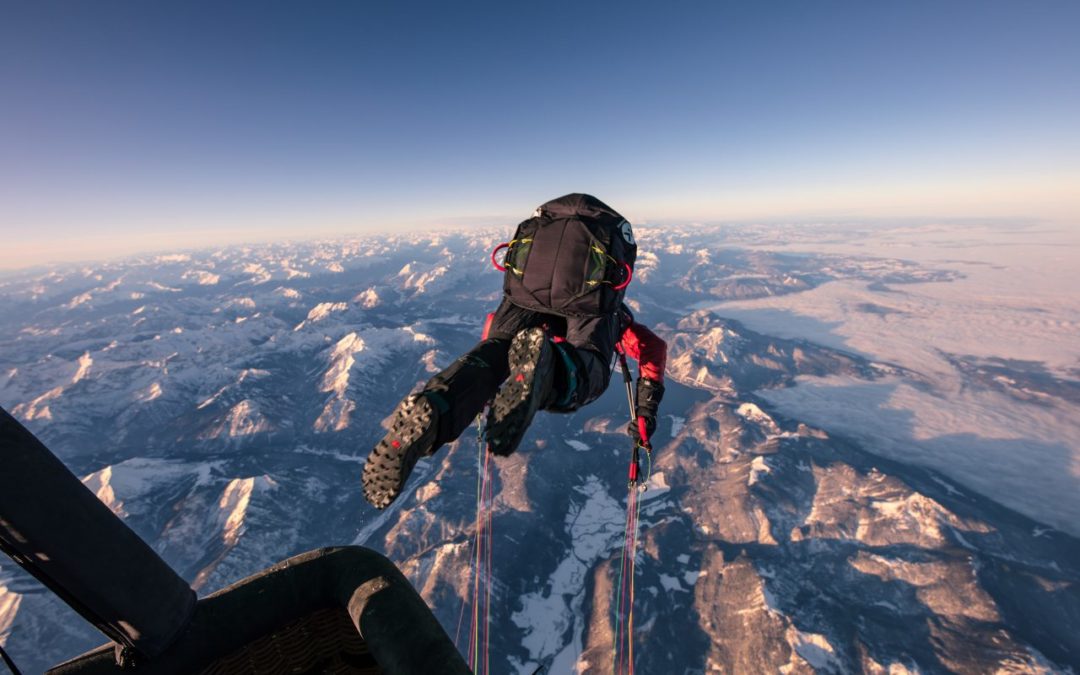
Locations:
531 385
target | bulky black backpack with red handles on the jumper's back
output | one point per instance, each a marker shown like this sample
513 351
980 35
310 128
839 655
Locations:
573 259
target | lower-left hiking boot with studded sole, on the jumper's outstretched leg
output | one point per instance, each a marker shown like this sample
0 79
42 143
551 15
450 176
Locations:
412 436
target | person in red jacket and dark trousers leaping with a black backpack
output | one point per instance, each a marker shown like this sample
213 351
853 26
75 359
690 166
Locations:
549 346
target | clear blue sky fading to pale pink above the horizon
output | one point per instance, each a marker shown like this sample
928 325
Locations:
128 127
